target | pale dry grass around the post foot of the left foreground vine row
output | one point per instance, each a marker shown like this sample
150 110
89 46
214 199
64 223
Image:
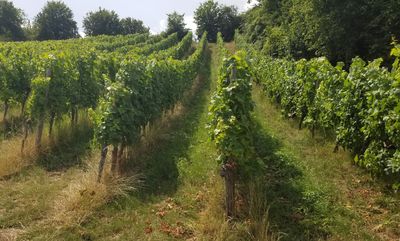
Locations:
84 195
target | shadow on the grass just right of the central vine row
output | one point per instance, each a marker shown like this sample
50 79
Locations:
294 212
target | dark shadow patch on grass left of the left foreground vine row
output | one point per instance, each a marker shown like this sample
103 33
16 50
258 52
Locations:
68 149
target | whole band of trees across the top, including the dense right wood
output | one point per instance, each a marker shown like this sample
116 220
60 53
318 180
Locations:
339 30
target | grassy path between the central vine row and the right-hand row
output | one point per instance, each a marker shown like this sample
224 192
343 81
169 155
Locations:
315 194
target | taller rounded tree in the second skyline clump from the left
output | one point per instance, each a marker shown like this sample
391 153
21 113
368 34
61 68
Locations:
102 22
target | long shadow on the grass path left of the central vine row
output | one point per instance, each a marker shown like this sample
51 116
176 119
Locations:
158 162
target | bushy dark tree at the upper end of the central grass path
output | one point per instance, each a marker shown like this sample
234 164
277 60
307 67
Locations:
213 18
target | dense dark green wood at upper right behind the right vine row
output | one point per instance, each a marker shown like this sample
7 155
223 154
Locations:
339 30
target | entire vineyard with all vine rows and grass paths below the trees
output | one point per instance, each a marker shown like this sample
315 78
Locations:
161 137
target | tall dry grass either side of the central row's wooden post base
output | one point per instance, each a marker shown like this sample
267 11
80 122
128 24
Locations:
213 225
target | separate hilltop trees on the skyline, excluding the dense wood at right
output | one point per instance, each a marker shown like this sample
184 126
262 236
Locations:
56 21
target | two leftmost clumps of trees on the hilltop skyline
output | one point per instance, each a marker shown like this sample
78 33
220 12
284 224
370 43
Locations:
56 21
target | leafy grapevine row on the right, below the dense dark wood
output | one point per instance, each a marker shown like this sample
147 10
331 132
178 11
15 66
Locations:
361 105
